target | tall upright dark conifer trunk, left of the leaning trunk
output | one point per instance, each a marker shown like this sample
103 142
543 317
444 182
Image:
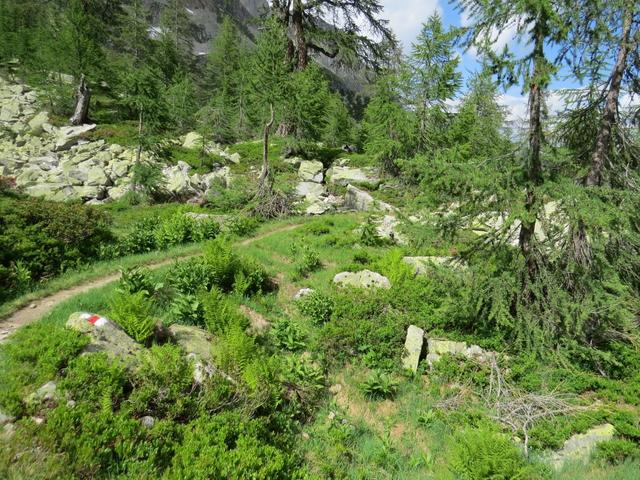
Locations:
534 165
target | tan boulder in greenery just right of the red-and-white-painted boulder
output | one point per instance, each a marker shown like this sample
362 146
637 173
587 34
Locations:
197 344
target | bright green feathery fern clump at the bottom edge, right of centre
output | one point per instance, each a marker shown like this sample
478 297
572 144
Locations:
484 454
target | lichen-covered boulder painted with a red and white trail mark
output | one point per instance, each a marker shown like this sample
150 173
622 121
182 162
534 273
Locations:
105 336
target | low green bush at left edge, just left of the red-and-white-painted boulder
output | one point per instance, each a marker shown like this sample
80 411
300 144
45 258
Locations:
33 356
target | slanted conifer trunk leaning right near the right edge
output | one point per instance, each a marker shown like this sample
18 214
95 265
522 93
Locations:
609 116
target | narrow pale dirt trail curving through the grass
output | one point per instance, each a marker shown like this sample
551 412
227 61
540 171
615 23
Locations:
41 307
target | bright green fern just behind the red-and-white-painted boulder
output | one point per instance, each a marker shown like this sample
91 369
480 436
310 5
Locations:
134 313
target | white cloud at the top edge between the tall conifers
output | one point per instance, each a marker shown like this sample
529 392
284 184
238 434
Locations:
407 16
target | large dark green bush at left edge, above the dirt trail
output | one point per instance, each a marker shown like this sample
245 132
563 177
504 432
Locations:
40 239
